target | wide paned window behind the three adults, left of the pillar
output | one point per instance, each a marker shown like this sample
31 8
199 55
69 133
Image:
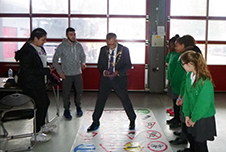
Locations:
92 19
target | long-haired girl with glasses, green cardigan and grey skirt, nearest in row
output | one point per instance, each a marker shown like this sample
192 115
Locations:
198 103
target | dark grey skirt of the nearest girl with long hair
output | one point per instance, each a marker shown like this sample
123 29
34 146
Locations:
204 129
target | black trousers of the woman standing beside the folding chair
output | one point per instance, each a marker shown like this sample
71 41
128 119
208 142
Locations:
42 103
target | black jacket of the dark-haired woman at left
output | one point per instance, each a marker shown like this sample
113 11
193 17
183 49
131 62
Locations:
32 73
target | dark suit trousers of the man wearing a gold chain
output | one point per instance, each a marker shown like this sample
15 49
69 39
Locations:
119 84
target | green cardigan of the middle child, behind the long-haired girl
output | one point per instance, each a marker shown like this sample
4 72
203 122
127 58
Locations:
178 77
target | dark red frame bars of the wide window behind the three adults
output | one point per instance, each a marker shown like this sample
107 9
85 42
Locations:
107 16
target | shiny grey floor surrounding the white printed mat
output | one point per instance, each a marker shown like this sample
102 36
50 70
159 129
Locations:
65 133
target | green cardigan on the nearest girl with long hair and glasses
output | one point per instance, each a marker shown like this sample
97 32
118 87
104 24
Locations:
199 100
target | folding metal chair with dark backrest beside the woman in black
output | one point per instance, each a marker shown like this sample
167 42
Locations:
17 107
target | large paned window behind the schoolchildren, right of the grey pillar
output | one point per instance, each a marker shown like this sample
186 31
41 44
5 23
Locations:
205 20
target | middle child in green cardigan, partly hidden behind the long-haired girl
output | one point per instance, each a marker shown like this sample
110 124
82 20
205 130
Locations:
176 78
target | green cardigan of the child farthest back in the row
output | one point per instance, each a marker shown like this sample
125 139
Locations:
172 58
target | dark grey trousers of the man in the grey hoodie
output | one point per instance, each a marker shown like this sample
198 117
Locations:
77 83
